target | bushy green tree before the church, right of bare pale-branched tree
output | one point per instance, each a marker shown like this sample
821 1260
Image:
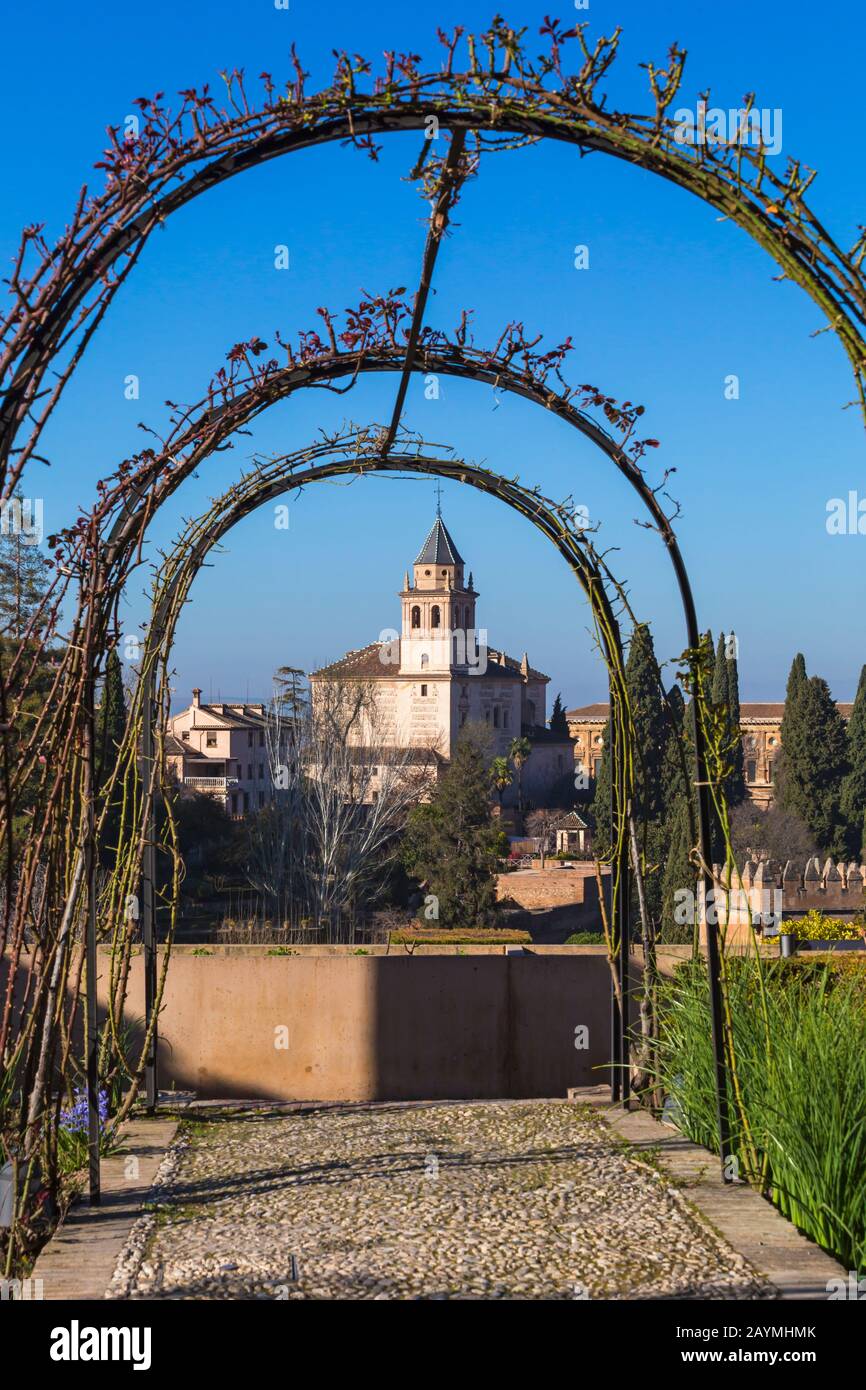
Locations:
452 844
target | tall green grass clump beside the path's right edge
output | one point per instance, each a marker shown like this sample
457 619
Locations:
801 1067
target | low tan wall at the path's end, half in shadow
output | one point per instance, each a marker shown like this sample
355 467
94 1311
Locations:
330 1025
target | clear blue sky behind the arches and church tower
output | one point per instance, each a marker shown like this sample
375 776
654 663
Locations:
673 302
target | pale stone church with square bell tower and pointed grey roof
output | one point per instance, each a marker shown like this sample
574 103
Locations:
440 672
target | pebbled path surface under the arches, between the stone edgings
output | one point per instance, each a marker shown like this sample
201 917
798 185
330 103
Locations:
486 1200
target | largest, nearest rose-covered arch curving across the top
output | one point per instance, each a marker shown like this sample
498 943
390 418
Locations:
500 98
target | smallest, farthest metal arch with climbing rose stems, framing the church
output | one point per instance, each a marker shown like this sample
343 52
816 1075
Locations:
555 521
